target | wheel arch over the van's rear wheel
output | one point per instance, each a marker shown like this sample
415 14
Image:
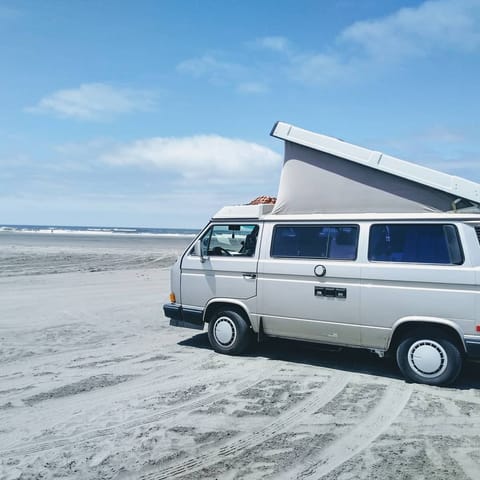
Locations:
408 325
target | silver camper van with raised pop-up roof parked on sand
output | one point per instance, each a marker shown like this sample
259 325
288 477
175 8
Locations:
360 249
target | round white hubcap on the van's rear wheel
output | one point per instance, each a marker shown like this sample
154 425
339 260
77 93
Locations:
427 358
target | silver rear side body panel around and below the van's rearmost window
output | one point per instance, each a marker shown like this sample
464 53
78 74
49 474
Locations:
394 291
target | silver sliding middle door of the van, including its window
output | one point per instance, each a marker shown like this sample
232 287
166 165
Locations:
309 282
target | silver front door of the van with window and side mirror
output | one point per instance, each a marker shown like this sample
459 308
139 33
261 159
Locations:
226 268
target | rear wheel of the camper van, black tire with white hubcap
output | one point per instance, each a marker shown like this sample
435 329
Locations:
430 358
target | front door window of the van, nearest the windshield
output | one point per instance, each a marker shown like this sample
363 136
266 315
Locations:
230 240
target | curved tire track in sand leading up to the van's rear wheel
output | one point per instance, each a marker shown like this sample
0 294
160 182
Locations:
361 436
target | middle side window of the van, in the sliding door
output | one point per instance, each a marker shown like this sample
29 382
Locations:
335 242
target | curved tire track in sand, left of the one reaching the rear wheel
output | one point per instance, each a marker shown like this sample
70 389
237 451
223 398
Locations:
295 415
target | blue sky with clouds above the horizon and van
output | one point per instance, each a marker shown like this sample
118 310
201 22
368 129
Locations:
158 113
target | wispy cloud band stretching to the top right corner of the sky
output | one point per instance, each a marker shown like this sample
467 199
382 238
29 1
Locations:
362 50
